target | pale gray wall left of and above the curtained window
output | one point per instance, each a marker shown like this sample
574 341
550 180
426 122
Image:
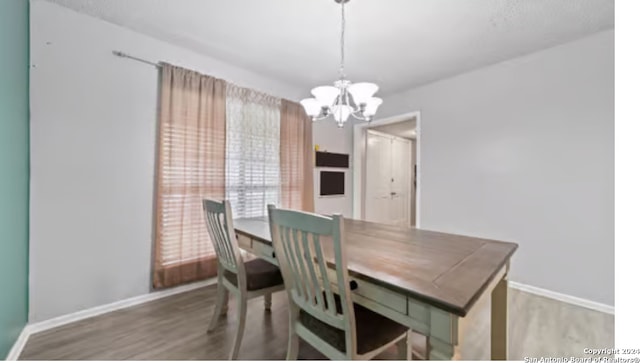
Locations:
93 119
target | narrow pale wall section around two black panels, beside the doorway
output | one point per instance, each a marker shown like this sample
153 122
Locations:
331 138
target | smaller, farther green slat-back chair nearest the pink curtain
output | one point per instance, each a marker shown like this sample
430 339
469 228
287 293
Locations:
245 280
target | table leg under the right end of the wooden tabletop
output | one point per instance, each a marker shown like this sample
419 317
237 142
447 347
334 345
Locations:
499 321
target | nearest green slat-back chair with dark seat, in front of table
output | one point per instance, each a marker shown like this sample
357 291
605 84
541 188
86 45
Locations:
323 316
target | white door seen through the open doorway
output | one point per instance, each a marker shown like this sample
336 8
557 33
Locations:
388 179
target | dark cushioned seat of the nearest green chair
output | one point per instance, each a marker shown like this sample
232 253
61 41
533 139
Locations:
372 329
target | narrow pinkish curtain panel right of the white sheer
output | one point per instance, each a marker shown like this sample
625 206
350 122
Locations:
296 157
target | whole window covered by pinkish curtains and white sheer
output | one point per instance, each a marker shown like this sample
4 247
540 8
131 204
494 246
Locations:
218 140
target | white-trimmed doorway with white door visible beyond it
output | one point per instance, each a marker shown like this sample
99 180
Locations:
387 169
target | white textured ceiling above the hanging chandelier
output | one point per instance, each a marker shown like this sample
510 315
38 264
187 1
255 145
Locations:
397 43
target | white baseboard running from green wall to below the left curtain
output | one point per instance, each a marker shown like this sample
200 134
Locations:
98 310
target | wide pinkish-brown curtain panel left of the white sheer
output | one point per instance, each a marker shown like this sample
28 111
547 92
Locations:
190 166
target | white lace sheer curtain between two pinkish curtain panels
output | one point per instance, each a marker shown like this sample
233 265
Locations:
253 151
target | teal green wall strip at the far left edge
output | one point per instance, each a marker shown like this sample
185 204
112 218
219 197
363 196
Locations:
14 170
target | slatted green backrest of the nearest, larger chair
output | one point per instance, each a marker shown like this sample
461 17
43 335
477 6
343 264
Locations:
300 240
